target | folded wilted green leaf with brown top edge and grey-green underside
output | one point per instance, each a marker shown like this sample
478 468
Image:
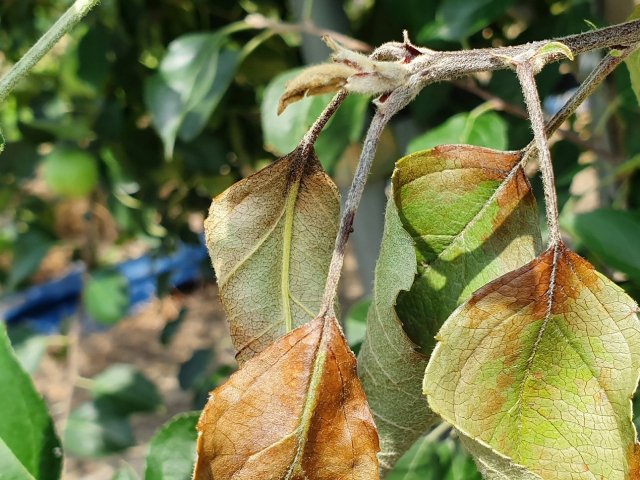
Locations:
460 216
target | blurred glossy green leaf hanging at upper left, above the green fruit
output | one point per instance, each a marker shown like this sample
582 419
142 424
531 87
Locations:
193 77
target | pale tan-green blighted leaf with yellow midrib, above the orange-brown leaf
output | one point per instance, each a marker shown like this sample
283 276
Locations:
271 238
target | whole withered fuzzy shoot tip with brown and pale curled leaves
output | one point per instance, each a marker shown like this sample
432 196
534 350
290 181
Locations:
352 70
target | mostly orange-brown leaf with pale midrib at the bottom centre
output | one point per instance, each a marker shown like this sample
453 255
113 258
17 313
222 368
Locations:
295 411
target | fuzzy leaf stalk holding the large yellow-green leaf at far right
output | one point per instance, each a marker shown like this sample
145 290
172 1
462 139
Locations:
532 99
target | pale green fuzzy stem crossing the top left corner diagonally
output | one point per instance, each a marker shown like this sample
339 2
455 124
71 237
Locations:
68 20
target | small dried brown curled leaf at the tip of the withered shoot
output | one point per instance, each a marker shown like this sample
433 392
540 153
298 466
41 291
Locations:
316 80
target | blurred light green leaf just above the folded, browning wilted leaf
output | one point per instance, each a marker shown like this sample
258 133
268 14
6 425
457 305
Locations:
478 127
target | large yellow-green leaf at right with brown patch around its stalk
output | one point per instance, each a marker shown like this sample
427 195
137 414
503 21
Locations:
540 366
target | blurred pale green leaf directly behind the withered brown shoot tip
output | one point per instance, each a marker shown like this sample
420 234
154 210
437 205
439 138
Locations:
282 133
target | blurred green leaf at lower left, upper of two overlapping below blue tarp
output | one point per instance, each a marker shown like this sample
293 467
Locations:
126 389
